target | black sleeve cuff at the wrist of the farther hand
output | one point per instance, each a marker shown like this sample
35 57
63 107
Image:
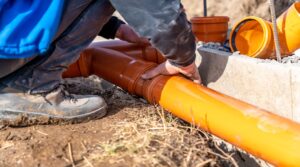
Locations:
110 29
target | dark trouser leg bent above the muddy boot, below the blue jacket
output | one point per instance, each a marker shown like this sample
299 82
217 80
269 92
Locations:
81 22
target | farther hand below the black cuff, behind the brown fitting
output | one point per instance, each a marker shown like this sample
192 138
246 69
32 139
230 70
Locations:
126 33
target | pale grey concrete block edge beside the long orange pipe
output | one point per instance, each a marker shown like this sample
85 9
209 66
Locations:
266 84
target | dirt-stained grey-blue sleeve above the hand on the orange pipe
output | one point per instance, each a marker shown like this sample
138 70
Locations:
165 23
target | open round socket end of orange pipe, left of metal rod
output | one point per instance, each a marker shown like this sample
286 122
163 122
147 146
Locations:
253 36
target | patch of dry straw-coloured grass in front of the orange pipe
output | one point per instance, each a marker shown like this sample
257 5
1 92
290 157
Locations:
152 137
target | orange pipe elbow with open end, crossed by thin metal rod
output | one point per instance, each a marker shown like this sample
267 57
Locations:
253 36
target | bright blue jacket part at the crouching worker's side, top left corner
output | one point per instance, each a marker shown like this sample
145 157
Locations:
27 27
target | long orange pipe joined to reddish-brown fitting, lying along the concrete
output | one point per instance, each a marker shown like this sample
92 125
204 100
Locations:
259 132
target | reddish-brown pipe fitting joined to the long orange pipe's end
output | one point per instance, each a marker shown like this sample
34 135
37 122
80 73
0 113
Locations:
123 70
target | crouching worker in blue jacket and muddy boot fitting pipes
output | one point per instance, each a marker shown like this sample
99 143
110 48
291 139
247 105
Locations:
40 39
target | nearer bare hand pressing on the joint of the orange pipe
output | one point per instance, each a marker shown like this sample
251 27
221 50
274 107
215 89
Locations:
166 68
